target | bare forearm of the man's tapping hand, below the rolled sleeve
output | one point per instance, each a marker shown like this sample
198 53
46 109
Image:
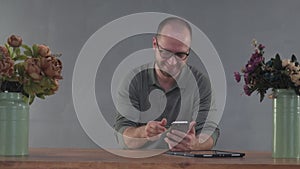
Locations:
134 137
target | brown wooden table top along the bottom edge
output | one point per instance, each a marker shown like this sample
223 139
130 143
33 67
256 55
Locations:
49 158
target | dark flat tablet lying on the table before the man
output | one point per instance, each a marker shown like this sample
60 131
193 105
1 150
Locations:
206 153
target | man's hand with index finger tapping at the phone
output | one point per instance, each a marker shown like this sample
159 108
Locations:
154 129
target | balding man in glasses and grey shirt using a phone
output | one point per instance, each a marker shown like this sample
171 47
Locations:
170 75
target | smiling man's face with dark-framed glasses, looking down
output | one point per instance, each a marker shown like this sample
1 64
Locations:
171 53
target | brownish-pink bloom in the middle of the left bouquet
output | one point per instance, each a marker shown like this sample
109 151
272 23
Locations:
32 67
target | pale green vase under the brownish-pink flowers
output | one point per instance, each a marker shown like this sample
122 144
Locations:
14 125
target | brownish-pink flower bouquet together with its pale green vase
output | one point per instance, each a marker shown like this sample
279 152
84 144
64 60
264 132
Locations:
25 73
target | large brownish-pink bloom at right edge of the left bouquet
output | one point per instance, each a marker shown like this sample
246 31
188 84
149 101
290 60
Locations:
52 67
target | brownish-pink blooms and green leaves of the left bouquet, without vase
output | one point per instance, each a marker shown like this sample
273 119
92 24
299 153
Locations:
33 71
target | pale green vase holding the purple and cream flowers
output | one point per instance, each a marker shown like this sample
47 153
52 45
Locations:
286 124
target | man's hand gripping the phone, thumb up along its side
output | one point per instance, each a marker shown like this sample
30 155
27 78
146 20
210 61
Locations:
180 141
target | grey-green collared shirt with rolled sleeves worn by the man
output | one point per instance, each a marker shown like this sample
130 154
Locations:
141 99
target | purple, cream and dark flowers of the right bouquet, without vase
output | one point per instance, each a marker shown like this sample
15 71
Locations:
276 73
